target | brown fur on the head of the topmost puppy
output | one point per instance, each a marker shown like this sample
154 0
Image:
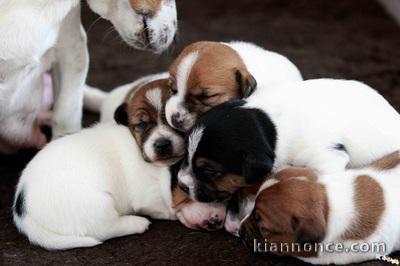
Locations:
213 78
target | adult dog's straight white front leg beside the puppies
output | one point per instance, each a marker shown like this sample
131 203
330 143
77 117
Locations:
69 75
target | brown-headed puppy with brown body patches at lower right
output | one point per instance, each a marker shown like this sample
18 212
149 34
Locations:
357 209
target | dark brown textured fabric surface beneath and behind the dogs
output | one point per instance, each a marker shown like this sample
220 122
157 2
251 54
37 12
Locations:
340 39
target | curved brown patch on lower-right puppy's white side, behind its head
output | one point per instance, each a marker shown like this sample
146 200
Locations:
370 204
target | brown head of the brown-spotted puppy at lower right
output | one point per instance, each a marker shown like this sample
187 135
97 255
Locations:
291 208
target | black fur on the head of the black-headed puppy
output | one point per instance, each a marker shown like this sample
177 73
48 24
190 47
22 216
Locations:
241 140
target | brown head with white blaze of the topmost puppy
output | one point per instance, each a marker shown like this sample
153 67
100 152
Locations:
204 75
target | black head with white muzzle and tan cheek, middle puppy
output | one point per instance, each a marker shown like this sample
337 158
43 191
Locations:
228 148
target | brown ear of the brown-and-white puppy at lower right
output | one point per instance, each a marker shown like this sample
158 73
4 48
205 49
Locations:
309 230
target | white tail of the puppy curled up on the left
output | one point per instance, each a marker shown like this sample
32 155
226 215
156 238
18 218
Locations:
50 240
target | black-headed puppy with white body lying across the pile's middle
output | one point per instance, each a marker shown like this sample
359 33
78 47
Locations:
326 125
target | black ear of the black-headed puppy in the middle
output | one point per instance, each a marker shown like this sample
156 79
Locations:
256 167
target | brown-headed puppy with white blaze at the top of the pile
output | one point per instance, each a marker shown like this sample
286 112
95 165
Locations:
206 74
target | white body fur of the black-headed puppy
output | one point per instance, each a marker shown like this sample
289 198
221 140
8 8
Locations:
312 116
